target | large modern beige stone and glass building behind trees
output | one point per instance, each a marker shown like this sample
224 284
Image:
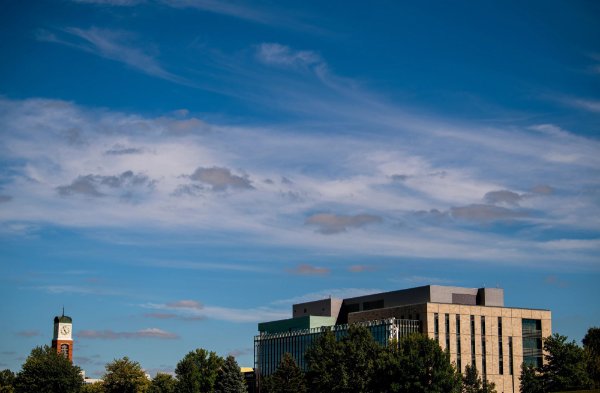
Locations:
471 323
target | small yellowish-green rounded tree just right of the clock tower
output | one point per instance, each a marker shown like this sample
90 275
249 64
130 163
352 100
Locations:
125 376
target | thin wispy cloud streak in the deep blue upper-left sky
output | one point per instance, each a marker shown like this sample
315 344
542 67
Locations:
114 45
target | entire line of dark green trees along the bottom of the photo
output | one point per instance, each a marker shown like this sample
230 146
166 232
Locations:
354 364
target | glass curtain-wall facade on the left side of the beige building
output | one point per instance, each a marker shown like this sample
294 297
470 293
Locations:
270 348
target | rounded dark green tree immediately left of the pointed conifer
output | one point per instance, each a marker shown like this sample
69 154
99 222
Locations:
197 372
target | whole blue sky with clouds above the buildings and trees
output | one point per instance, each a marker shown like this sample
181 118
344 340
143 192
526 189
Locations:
175 171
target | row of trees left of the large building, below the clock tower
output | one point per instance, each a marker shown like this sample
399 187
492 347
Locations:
200 371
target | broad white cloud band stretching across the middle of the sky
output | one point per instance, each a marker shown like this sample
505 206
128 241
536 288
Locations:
411 164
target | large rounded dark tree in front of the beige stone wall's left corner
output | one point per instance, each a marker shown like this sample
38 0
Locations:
417 364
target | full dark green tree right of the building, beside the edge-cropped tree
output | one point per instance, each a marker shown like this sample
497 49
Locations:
564 368
